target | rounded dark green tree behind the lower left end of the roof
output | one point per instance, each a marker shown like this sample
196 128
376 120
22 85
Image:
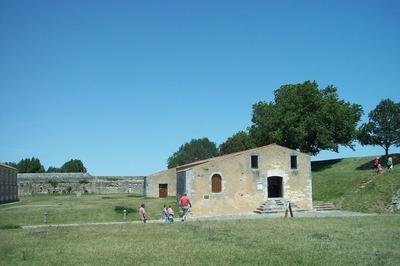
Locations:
195 150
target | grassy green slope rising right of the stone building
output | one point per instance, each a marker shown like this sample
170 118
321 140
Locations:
352 183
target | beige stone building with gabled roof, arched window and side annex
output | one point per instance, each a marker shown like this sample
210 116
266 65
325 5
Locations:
240 182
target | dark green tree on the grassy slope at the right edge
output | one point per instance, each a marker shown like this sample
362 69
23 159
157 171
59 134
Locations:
383 127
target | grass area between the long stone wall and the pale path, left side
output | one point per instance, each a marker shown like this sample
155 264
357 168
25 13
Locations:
87 208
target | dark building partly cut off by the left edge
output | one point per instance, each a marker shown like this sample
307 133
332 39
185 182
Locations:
8 184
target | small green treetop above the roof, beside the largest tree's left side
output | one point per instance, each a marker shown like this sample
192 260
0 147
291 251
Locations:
239 141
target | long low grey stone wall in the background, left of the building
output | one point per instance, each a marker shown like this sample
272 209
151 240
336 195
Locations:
64 183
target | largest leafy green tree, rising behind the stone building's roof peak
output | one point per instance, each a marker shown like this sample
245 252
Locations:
307 118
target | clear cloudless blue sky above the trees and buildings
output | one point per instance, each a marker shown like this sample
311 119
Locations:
122 84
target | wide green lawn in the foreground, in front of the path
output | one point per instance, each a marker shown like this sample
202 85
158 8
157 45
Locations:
372 240
